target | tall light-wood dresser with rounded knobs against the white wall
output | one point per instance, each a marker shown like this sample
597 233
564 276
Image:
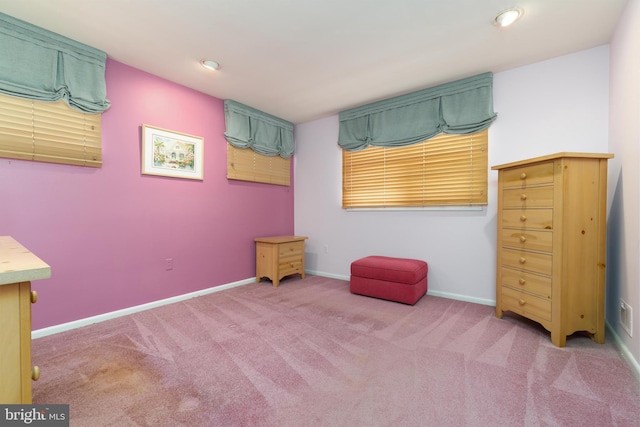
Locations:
552 242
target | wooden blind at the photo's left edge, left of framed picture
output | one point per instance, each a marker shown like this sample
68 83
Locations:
49 132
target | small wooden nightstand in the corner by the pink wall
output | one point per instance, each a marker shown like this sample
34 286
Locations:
279 256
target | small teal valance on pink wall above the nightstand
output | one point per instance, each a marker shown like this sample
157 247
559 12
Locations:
265 134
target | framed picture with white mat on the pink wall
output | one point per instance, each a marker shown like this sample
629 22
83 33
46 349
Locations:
173 154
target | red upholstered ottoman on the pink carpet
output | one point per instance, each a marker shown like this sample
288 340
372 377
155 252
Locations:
394 279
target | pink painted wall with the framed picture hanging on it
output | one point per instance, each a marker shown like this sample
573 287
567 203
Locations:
106 232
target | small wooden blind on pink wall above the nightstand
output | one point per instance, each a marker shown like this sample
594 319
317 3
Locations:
244 164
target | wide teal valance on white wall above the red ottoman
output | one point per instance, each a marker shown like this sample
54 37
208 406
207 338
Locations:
460 107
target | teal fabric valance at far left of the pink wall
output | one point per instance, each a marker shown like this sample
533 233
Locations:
38 64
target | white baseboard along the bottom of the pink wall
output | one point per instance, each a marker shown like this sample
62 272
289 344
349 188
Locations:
39 333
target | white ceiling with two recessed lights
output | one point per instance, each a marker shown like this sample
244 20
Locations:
306 59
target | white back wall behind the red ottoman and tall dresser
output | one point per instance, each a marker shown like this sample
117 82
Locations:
552 106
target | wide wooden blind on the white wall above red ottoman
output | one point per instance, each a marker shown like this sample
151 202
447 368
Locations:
447 170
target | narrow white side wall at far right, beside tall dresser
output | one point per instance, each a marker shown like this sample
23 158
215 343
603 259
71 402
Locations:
623 253
